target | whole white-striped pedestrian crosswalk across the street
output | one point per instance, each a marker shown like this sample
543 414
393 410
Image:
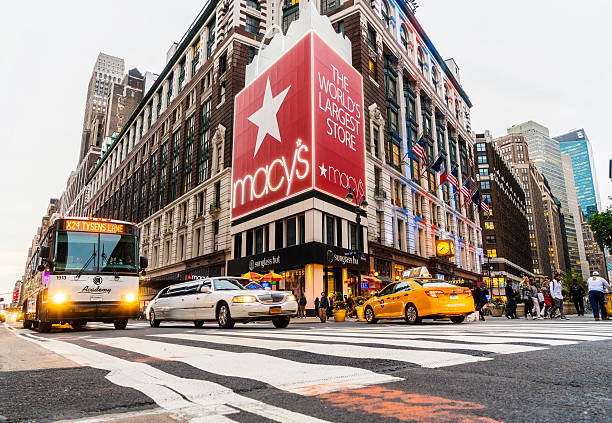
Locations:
304 360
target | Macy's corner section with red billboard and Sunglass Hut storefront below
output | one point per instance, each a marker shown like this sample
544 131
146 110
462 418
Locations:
298 150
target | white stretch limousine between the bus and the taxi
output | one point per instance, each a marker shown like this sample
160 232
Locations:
224 299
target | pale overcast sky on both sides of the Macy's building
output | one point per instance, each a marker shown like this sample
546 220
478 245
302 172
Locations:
544 60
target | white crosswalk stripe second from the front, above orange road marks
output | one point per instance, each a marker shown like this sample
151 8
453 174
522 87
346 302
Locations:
298 378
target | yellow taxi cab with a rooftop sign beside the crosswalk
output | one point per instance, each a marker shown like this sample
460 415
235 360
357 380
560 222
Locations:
420 297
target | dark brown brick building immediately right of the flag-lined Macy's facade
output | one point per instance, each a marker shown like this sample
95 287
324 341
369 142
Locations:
505 229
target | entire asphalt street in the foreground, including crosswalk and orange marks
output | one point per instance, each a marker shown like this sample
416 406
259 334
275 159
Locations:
493 371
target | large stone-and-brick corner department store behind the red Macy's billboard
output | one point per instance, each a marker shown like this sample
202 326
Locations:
170 167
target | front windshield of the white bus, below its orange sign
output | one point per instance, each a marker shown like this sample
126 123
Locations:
94 253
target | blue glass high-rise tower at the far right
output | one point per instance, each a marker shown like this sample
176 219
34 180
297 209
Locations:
576 144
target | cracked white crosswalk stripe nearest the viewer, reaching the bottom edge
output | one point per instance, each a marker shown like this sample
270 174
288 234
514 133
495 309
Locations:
192 398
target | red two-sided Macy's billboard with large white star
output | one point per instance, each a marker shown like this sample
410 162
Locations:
299 127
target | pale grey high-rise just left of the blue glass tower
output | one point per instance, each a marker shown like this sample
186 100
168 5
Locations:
545 153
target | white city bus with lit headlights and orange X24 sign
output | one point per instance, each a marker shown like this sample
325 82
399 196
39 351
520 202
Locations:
83 270
